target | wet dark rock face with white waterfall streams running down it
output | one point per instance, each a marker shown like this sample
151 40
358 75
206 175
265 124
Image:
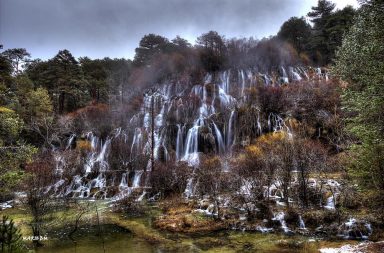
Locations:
184 122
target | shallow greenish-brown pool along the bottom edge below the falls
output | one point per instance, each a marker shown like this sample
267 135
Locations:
113 239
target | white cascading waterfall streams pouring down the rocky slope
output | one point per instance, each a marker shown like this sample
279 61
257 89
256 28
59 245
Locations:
206 112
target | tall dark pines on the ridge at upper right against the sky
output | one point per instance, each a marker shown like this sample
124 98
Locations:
318 43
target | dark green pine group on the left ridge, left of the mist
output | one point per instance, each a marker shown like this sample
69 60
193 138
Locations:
72 84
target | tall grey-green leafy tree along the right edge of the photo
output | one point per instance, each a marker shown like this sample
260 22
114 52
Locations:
360 62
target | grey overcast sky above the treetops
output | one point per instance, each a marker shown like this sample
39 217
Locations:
113 28
